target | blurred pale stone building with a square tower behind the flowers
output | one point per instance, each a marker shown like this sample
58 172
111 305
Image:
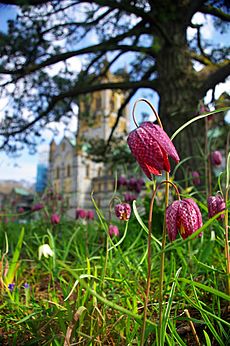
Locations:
71 171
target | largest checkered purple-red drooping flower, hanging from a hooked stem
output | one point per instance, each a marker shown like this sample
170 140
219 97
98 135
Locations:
151 146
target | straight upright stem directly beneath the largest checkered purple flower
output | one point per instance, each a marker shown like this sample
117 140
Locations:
162 264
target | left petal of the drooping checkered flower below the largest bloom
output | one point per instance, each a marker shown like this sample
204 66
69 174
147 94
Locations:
171 220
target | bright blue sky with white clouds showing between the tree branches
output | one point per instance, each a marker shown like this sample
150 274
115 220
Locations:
24 167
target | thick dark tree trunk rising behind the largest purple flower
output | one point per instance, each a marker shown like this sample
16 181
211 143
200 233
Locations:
179 94
